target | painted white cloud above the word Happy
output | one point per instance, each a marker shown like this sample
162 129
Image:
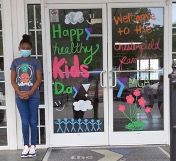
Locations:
74 18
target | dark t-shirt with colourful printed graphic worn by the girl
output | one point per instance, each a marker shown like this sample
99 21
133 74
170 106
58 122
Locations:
26 73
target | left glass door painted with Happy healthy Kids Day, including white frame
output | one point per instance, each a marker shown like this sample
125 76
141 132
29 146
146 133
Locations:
77 56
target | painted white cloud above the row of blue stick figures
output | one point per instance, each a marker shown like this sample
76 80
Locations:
82 105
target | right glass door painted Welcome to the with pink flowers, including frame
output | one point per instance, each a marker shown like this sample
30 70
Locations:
137 66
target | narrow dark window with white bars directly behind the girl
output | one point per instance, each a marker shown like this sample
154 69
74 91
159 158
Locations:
35 30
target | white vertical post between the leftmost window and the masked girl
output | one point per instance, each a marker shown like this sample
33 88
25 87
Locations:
9 93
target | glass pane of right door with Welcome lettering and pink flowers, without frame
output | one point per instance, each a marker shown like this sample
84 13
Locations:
137 37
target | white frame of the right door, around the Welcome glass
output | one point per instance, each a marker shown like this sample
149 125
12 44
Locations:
141 137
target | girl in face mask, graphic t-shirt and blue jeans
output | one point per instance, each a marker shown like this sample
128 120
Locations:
26 78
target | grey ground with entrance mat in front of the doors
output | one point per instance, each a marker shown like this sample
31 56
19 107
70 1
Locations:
152 153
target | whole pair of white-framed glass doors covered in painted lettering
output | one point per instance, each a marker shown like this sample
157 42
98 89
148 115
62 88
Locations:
106 74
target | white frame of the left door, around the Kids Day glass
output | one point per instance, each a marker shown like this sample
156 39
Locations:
95 138
